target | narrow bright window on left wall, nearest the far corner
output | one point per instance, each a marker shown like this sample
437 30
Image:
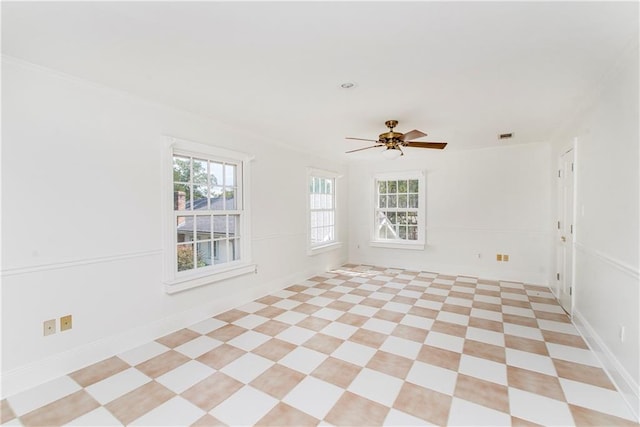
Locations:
322 211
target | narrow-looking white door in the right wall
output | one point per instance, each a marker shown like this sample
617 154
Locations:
566 230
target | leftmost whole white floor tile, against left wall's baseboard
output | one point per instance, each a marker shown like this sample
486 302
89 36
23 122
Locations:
42 395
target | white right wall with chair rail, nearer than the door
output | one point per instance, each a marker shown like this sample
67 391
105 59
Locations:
607 284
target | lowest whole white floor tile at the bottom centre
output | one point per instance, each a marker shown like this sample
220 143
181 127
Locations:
313 396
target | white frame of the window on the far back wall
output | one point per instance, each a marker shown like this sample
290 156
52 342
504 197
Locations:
418 244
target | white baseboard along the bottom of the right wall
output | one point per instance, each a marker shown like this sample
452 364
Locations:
623 381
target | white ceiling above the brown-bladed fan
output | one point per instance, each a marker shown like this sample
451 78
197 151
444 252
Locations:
461 71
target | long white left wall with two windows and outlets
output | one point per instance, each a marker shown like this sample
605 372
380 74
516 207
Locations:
82 218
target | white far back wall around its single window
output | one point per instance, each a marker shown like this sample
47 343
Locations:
483 202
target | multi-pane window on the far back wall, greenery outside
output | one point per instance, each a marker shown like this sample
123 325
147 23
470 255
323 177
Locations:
399 210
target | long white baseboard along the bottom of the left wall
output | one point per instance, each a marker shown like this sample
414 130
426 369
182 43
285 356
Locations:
42 371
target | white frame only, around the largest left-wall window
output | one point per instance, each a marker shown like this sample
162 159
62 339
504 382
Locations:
175 281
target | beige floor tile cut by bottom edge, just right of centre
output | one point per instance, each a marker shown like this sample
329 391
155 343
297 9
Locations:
354 410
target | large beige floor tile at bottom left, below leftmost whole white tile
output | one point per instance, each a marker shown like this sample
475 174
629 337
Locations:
61 411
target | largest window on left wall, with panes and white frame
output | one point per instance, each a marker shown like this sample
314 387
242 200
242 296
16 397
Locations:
208 233
